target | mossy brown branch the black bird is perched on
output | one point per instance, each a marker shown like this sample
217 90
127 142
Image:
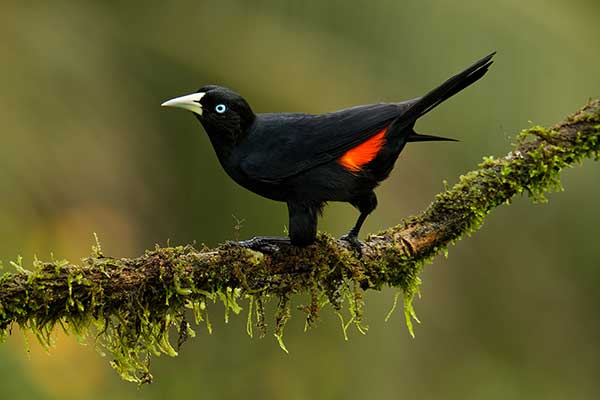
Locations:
128 306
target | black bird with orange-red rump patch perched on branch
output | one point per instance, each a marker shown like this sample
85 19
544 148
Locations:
307 160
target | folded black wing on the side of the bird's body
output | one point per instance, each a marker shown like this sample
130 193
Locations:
283 145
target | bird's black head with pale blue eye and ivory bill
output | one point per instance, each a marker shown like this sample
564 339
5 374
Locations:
224 114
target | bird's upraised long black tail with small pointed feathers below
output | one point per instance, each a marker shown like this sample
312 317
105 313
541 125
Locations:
446 90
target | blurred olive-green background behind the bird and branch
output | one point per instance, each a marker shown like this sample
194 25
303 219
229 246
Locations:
85 147
